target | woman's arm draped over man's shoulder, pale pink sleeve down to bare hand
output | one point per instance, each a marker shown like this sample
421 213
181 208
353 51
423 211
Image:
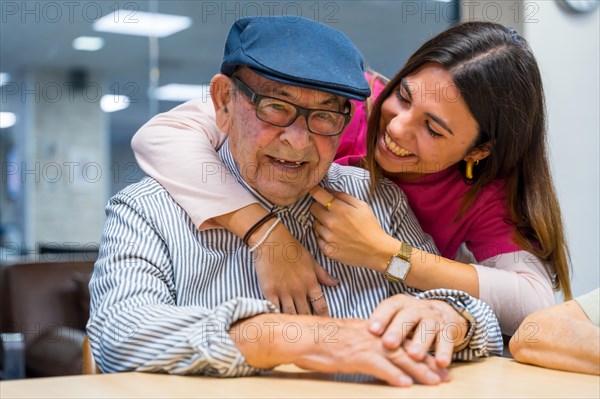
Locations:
178 149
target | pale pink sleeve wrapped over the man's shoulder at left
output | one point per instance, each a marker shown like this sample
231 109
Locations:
177 148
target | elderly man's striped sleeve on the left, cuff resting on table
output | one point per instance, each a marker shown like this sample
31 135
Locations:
135 322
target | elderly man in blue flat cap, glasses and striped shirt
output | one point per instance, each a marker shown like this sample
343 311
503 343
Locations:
169 298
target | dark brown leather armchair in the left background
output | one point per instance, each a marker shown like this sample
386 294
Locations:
48 302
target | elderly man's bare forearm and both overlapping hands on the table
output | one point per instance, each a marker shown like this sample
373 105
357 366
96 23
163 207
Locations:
393 345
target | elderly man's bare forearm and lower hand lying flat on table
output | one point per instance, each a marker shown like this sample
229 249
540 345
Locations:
331 346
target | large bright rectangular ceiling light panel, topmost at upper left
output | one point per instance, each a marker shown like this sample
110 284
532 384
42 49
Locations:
142 23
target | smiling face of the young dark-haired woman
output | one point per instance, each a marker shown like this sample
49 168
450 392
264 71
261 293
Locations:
425 126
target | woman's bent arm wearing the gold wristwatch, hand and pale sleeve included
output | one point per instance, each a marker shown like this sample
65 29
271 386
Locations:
513 284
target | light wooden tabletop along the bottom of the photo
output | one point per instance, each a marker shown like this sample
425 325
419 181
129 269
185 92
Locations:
492 377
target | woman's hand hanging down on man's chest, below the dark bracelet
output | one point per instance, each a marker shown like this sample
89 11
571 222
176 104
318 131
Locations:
291 283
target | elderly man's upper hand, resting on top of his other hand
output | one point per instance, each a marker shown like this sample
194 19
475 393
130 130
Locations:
419 325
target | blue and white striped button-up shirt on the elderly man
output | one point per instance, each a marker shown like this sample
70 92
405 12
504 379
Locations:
164 295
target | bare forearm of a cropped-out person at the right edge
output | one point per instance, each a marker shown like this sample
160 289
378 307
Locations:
560 337
